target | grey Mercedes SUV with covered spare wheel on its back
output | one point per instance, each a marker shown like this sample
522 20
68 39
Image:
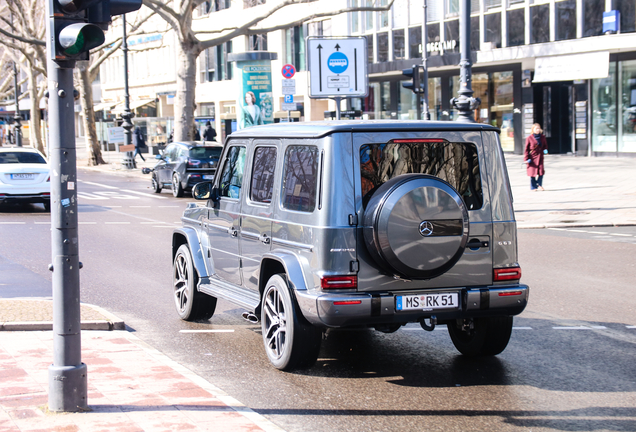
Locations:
338 224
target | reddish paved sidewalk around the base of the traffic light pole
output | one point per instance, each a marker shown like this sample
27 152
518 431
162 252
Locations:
131 387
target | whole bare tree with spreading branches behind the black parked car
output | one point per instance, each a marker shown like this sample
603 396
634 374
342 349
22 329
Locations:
191 42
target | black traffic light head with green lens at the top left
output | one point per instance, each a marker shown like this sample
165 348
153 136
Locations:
77 26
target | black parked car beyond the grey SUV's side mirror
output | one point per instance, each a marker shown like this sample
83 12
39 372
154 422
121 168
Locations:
184 164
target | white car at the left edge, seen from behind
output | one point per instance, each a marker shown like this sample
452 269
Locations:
24 176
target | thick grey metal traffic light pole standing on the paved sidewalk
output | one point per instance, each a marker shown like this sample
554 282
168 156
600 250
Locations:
67 375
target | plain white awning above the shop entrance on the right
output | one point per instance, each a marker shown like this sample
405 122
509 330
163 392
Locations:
572 67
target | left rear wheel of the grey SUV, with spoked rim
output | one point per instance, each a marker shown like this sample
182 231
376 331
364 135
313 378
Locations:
290 341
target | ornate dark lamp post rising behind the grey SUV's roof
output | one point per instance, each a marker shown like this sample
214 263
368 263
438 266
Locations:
465 103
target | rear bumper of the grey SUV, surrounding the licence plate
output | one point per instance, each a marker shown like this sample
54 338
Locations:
377 308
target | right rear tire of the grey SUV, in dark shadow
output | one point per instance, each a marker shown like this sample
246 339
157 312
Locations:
489 337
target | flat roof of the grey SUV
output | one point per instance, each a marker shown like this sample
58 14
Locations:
319 129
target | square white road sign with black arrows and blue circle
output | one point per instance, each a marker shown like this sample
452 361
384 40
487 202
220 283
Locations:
337 67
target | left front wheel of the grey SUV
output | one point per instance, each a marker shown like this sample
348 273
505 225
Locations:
191 305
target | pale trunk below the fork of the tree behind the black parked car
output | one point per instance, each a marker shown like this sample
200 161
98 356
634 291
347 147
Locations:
184 107
